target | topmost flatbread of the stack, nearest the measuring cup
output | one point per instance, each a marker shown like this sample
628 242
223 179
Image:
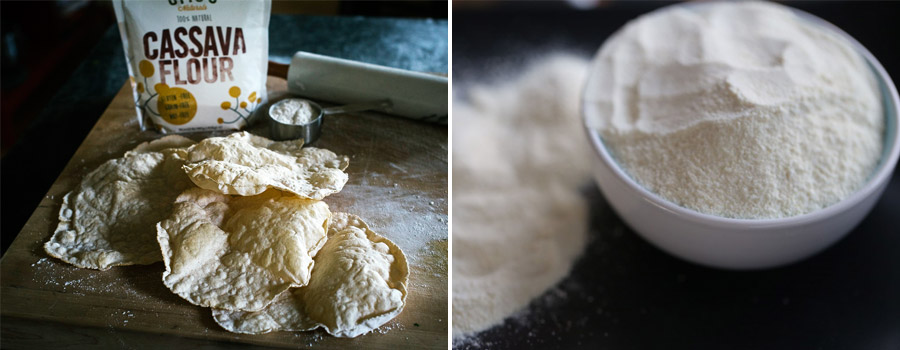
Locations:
245 164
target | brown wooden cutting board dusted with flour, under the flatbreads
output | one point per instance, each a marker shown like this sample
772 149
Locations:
398 184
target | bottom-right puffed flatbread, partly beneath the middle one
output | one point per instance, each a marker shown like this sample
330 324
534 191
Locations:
357 285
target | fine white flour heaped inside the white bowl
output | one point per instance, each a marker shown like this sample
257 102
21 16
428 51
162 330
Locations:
740 110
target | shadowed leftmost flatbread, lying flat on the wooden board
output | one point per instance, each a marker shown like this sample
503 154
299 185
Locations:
108 219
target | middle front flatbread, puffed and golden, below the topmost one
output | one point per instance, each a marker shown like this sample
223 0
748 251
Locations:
240 253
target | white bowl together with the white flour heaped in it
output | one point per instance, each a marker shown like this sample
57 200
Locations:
740 135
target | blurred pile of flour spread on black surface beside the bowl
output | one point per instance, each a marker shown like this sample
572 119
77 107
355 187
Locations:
519 223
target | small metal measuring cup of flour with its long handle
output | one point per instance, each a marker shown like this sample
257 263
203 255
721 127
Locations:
309 132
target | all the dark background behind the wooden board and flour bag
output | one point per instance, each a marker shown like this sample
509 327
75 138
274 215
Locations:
63 63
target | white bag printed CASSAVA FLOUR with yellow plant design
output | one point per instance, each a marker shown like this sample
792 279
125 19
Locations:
195 65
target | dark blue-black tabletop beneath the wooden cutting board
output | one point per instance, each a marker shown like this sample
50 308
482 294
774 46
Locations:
38 158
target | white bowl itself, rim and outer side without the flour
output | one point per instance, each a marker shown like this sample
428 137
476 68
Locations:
743 243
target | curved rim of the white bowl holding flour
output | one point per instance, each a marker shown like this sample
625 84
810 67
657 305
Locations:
883 170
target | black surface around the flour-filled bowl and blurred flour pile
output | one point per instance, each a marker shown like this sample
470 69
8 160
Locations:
626 294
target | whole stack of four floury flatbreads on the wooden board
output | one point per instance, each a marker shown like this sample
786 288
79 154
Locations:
240 224
